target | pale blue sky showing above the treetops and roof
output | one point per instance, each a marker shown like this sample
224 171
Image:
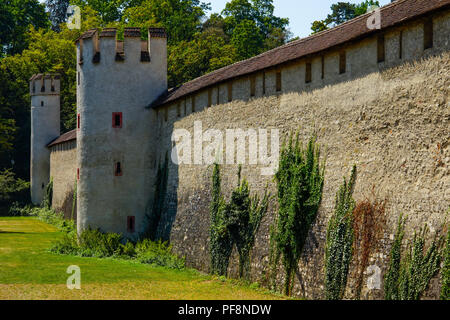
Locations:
301 13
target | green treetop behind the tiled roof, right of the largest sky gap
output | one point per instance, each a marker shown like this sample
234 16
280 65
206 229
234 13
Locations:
342 12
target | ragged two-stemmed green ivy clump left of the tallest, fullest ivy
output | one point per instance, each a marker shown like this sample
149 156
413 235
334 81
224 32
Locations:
234 223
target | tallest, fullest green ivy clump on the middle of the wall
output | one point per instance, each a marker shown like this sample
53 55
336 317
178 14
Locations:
300 182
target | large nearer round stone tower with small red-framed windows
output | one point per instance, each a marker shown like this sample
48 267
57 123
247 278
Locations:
116 80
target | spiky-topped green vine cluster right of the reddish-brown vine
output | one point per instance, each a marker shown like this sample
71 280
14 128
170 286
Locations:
408 276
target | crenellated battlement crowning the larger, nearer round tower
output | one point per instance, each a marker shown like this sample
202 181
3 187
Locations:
95 46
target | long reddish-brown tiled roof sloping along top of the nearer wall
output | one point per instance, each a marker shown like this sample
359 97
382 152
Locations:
391 14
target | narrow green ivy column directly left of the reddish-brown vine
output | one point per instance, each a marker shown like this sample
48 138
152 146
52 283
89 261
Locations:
338 251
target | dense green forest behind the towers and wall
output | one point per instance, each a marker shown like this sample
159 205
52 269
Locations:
35 39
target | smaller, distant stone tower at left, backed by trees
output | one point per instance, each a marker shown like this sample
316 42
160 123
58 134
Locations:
45 126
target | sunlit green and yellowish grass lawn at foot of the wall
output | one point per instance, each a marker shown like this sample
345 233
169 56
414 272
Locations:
29 271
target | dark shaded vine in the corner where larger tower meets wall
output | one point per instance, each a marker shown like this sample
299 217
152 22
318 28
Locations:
158 199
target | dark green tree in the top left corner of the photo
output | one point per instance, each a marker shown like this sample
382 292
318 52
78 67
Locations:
16 16
